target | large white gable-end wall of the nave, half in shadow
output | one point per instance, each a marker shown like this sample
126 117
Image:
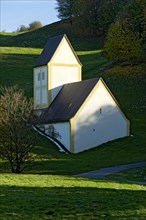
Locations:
100 121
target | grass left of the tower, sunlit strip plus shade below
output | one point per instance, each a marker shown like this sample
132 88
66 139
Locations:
16 67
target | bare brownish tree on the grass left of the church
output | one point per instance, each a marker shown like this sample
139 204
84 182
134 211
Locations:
16 136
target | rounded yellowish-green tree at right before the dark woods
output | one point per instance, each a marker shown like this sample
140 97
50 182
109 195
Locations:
122 44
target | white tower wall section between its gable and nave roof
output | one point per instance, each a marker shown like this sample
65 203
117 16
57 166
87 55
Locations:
62 75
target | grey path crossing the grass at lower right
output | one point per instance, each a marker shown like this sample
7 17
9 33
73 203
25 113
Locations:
104 172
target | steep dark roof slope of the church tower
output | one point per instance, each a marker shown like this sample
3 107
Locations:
49 50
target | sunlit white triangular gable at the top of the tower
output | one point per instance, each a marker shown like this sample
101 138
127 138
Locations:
65 54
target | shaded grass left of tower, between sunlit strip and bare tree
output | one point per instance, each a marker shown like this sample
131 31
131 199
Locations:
17 69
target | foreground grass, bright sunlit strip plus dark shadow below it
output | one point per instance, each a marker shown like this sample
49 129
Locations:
59 197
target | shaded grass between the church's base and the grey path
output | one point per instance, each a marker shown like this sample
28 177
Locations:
48 160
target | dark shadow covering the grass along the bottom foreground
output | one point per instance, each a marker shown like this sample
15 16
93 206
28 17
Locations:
71 203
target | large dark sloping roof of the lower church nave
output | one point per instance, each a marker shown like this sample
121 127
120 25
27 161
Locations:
67 102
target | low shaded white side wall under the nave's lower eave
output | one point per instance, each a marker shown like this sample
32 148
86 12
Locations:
63 129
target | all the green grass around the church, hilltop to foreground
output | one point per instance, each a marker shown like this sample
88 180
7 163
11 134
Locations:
47 190
